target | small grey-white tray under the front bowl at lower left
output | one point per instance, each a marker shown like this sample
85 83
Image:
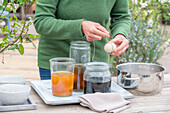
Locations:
28 105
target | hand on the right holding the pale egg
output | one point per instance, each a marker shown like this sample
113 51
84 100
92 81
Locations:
121 44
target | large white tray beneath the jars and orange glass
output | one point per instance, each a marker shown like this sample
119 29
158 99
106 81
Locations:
43 88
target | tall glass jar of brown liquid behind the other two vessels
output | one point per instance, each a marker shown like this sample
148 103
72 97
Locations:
80 51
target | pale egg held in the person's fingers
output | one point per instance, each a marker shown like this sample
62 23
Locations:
110 47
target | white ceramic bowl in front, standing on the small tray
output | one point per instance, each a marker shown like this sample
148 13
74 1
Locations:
14 94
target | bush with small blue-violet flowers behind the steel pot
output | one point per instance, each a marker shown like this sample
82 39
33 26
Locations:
147 37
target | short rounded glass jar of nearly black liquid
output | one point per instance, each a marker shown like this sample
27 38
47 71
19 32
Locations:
97 78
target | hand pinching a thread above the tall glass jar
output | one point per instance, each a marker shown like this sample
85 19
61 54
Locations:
93 31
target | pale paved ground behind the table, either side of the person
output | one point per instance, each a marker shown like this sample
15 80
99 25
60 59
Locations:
26 65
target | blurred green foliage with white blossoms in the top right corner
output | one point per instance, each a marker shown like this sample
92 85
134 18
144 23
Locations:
151 9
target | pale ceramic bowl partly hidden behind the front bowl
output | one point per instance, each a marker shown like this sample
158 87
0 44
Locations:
12 79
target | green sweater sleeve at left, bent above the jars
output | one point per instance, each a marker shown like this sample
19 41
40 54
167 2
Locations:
46 23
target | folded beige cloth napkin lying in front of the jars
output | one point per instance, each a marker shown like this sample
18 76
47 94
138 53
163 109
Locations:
104 102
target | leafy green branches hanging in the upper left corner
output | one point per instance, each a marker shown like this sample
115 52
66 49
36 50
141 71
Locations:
13 39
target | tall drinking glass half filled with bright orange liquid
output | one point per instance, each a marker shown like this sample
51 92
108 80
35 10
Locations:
62 76
